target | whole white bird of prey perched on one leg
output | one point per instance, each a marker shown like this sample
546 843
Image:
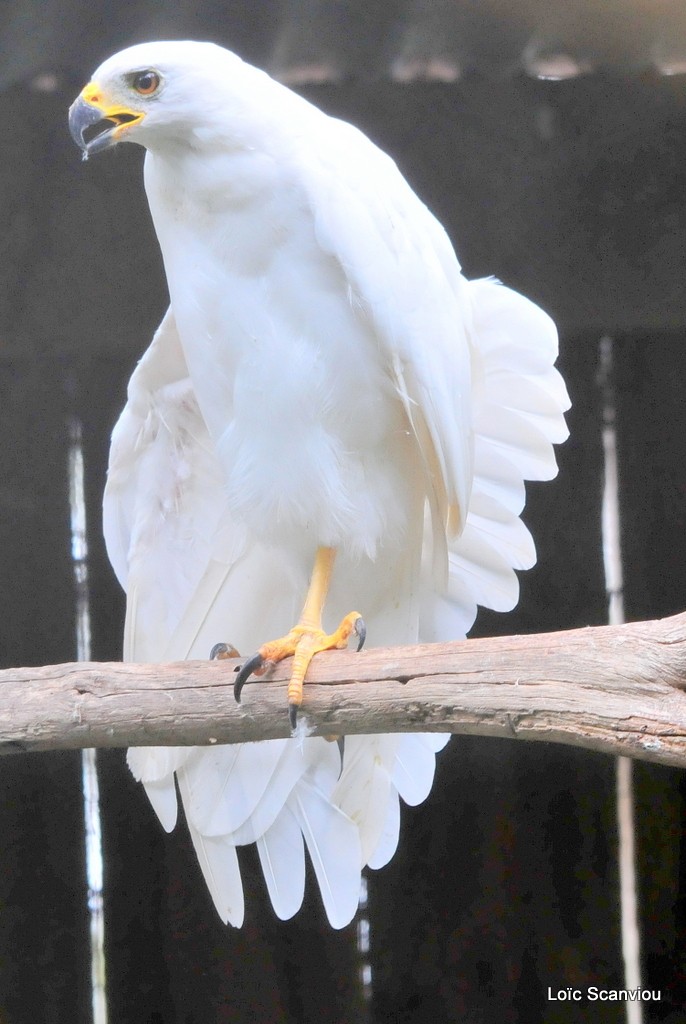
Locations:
326 390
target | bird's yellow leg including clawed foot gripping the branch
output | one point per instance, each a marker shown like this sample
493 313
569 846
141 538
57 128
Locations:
308 638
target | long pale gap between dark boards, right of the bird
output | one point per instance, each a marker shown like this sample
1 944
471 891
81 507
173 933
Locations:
612 534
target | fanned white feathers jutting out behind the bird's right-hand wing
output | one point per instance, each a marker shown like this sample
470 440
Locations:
520 401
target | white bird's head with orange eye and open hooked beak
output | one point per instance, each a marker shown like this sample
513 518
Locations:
150 91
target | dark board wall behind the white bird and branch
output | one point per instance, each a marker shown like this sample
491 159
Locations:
573 191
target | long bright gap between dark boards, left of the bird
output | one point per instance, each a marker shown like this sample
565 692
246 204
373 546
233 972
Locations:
92 802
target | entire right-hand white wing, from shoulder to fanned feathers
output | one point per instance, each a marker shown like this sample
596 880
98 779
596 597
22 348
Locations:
474 363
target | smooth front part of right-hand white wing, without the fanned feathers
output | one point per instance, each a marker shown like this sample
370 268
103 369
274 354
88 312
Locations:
405 278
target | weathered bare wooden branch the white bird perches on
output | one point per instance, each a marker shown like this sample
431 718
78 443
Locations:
619 690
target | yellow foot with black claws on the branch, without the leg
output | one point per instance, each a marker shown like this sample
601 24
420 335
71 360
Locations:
303 643
